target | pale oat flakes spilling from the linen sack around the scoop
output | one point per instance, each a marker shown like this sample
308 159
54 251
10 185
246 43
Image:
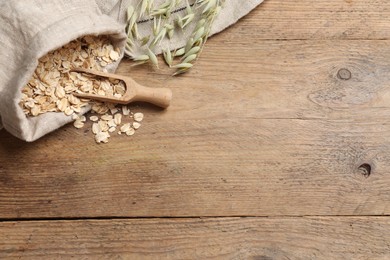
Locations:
53 84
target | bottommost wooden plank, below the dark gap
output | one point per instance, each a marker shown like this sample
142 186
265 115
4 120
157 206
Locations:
226 238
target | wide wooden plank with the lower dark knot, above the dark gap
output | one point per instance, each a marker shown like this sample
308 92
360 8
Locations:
231 168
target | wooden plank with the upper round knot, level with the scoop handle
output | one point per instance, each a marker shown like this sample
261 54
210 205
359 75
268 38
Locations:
274 79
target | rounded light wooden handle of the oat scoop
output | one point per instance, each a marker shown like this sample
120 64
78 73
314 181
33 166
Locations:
158 96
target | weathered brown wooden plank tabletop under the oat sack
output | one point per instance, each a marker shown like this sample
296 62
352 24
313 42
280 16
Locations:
276 146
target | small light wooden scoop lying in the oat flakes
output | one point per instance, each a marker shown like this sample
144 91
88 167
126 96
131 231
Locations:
134 92
